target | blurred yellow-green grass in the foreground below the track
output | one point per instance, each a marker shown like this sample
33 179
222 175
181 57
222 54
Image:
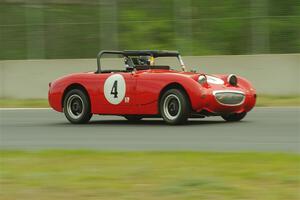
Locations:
85 175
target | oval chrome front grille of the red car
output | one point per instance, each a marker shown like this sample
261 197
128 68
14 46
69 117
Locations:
229 98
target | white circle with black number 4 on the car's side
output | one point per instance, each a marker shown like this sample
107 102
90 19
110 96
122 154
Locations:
115 89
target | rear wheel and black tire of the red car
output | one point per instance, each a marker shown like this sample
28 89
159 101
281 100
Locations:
77 107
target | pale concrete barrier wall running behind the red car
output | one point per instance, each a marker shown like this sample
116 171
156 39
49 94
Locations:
270 74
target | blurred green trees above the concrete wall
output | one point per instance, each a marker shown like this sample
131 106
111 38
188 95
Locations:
51 29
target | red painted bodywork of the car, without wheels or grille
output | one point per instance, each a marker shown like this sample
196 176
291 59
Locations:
143 89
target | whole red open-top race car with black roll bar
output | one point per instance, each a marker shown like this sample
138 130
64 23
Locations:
143 89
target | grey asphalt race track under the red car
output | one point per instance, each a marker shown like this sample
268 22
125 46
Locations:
264 129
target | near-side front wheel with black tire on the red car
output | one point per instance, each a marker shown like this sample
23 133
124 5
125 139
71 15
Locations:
174 107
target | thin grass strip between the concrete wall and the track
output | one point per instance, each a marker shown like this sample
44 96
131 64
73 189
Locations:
262 100
